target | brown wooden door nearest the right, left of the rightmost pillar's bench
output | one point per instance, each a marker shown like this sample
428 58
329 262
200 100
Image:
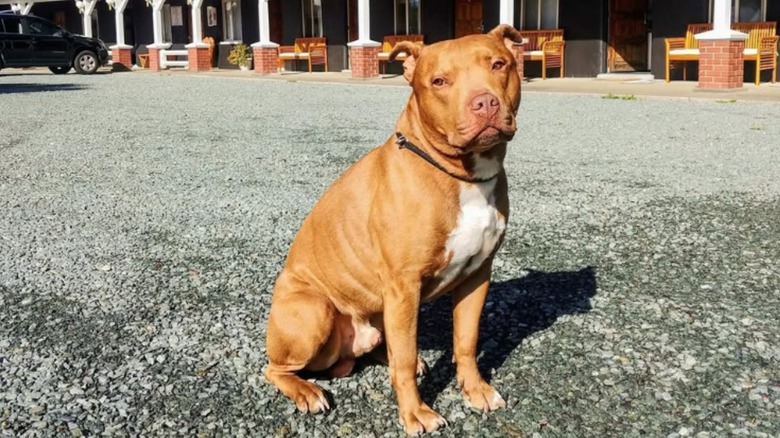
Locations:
627 35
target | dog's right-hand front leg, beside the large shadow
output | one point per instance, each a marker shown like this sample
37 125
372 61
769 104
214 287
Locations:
468 300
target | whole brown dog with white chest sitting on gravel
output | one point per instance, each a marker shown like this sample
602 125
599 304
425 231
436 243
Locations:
417 217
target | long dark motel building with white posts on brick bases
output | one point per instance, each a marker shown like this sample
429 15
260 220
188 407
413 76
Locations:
599 36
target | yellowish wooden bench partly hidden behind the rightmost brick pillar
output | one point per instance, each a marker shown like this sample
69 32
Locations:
760 47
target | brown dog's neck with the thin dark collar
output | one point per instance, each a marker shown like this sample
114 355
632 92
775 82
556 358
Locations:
454 161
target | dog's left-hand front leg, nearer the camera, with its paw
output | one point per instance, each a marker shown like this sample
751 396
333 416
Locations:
401 309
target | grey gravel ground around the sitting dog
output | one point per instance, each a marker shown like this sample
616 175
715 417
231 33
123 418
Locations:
144 218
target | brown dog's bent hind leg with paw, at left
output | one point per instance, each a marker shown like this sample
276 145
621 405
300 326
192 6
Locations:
301 336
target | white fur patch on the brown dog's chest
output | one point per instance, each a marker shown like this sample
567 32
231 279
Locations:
476 233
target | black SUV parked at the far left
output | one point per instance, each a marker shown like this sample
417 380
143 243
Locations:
28 41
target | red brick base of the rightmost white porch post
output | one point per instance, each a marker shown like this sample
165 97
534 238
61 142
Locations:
721 63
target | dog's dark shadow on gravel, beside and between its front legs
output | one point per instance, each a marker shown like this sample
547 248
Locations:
515 309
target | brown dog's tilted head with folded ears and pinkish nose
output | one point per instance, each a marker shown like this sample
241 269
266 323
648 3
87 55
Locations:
467 90
